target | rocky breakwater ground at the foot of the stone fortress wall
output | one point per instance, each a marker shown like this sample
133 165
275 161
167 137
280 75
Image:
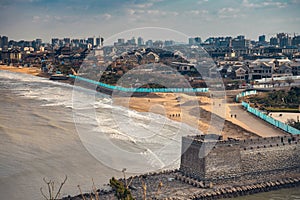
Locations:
174 185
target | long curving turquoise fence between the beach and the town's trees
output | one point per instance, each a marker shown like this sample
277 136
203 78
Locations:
146 90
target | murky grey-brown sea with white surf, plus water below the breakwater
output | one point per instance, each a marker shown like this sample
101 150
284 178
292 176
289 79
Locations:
49 130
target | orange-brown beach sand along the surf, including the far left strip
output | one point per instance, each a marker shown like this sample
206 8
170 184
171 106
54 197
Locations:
176 106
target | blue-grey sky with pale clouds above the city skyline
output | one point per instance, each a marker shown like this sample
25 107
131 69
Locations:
31 19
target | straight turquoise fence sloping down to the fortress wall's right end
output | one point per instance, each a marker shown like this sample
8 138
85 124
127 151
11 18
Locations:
271 120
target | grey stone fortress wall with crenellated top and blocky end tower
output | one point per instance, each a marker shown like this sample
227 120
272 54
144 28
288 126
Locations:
262 159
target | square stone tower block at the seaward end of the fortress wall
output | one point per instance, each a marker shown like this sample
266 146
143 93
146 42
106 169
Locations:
208 158
